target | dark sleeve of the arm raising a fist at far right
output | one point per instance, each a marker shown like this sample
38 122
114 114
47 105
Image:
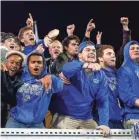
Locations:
119 56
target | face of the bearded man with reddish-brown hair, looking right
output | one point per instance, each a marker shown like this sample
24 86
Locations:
108 59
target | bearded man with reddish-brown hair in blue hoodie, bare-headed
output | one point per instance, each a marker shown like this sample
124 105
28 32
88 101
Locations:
107 60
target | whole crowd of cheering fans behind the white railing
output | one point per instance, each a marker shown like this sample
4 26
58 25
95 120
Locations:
71 84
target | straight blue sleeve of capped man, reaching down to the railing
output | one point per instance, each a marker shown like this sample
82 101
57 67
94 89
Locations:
102 102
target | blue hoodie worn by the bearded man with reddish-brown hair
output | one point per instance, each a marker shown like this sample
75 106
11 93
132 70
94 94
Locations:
114 108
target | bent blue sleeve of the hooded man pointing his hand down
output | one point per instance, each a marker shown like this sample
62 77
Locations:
57 84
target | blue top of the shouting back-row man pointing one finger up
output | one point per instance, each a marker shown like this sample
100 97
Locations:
28 49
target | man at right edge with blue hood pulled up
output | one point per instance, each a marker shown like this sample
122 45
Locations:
128 84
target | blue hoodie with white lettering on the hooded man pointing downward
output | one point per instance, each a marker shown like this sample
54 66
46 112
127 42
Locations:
33 99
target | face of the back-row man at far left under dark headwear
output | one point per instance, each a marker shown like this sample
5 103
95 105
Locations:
9 43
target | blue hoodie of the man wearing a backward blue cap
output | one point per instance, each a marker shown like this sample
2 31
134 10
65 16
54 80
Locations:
77 99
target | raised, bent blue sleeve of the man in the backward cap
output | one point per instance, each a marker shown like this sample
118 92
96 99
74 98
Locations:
69 69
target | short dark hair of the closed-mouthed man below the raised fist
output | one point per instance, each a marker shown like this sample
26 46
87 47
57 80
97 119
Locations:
67 40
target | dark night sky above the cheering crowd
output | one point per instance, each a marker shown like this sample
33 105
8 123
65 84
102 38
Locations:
50 15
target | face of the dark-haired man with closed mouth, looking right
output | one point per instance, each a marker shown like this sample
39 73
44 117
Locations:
72 48
